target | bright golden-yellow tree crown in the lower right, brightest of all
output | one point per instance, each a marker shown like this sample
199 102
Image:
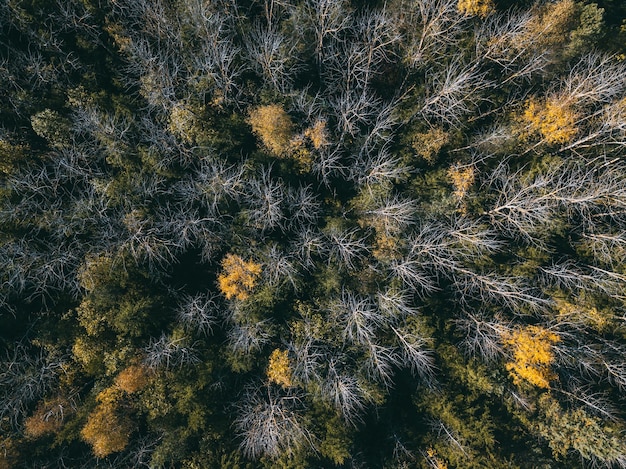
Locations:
532 352
